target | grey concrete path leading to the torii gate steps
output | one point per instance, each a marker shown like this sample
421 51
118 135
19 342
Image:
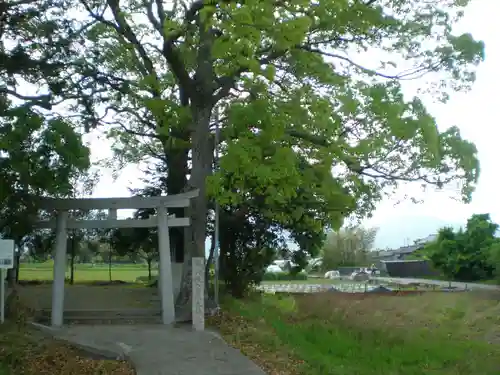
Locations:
161 350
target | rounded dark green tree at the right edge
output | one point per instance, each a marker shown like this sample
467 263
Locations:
468 254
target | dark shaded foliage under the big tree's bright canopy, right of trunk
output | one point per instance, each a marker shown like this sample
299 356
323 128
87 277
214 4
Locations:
252 235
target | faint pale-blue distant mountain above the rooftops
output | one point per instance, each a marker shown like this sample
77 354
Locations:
404 230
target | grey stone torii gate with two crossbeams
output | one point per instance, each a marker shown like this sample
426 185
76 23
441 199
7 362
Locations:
162 221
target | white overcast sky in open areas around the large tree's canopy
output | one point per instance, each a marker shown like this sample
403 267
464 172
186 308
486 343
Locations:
475 113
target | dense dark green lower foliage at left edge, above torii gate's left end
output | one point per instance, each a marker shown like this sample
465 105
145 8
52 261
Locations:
38 157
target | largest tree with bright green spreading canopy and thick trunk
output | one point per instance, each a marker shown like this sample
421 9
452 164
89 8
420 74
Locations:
287 87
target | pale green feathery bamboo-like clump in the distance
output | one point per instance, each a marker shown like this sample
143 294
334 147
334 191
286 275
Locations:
348 247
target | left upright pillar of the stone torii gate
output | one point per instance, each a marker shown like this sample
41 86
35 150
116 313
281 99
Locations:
59 270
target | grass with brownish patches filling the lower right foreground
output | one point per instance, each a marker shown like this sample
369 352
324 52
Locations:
335 334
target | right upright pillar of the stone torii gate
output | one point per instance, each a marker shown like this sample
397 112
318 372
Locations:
165 283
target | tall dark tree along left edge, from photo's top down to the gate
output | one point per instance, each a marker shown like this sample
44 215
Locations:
40 152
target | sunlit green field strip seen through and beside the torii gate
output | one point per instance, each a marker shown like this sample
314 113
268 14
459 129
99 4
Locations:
84 272
